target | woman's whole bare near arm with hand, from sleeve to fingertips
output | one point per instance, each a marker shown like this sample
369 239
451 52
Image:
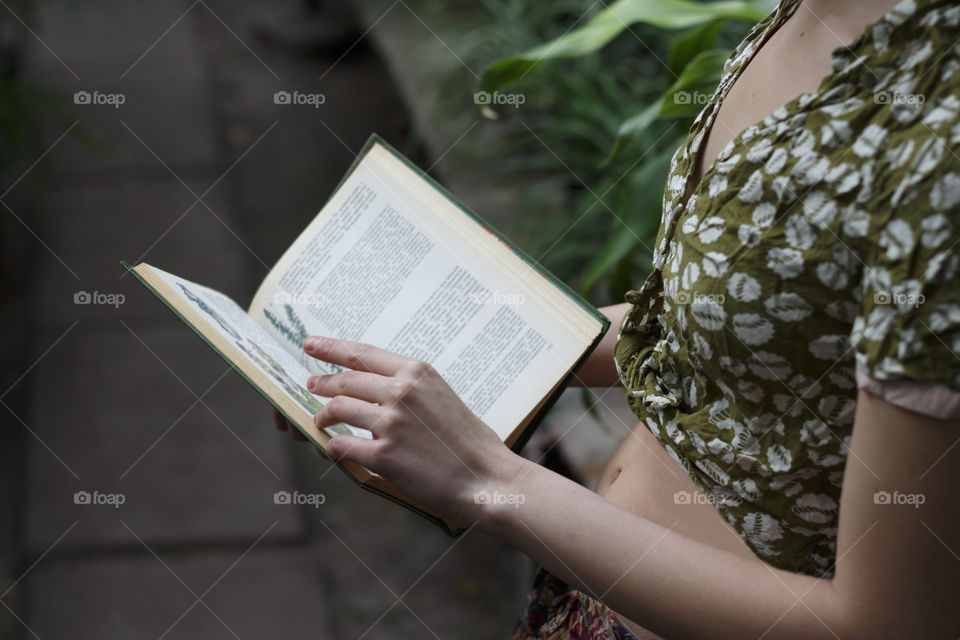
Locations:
896 574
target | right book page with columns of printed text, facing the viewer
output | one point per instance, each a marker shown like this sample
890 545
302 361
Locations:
380 266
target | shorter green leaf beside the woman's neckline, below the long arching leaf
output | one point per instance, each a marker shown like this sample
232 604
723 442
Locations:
685 97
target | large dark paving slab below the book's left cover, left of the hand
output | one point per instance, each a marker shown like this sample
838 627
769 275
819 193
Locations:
122 424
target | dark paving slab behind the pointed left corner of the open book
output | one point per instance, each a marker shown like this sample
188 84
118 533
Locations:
90 227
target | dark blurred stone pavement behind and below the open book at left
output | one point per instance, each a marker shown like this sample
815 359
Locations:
199 171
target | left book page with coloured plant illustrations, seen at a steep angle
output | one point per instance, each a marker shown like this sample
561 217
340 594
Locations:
229 320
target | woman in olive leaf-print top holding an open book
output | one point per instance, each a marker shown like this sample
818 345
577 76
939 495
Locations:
792 359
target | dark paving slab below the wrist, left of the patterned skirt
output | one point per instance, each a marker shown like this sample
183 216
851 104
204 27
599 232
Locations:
382 551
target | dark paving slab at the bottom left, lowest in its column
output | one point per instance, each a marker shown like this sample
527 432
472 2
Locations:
267 594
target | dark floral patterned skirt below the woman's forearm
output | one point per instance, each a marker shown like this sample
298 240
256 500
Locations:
557 611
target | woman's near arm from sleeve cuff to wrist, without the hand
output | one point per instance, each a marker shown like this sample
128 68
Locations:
897 572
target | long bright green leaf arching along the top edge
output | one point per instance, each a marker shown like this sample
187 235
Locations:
609 23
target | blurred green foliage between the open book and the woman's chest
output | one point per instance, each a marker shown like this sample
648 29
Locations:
603 112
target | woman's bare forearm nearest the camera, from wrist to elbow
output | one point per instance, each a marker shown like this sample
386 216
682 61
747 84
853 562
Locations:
670 584
